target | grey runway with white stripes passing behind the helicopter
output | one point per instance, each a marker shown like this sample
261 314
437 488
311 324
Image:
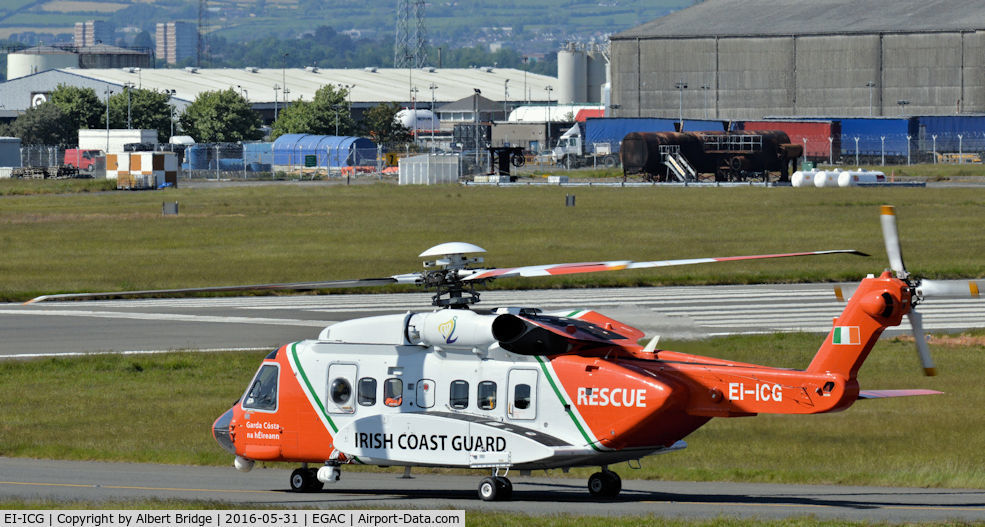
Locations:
266 322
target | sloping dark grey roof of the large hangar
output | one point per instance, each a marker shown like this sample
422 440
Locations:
795 17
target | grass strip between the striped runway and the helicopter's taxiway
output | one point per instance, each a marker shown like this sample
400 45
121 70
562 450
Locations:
160 409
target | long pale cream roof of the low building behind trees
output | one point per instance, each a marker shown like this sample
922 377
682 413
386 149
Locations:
368 85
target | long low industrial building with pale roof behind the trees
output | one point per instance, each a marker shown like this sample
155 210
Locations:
268 89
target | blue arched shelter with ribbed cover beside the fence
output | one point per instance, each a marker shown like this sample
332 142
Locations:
326 151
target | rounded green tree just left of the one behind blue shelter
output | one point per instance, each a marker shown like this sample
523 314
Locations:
221 116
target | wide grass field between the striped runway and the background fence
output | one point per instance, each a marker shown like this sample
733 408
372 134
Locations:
108 241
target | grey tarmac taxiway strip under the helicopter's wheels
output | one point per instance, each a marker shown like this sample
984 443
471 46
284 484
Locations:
89 481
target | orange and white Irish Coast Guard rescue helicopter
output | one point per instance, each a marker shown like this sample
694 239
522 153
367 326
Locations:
517 388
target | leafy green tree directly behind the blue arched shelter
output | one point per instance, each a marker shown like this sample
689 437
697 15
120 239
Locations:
327 114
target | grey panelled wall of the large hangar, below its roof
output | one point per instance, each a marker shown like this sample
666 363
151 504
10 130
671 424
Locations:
752 77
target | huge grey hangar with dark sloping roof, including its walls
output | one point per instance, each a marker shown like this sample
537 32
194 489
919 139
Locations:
746 59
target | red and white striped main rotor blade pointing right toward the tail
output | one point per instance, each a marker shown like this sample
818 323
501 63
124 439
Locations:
619 265
